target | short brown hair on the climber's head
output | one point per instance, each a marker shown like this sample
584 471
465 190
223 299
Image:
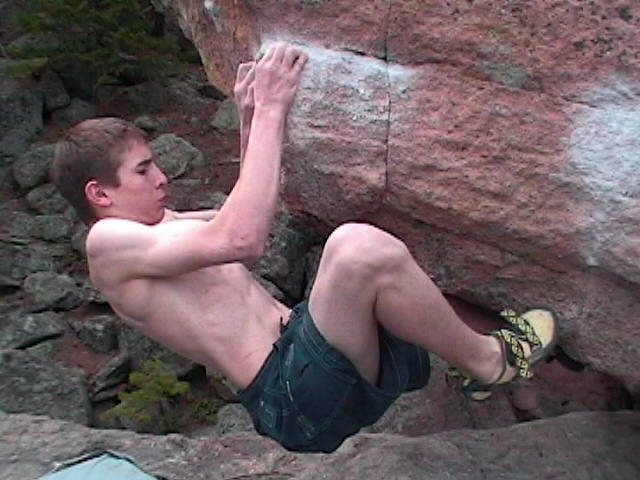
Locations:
91 150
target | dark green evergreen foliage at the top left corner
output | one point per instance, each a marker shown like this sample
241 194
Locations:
120 40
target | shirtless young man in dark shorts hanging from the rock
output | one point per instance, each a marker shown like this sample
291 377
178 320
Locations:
338 361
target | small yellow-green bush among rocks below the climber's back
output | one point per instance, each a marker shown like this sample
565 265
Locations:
152 403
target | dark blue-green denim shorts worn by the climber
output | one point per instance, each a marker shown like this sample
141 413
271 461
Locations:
309 397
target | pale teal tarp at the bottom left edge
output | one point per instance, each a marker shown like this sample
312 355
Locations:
104 466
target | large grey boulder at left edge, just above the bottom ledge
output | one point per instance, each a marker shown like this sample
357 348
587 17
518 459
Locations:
34 384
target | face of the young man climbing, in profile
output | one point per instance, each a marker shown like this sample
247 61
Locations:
142 193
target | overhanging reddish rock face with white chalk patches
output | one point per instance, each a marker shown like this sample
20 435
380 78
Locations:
499 139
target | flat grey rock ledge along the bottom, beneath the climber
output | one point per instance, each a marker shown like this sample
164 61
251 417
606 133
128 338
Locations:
580 446
